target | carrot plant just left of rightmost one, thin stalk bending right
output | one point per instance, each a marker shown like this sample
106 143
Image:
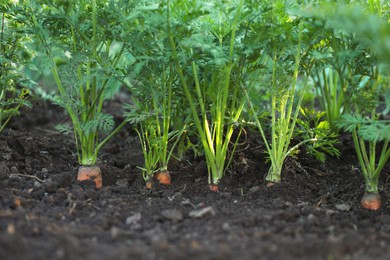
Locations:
285 77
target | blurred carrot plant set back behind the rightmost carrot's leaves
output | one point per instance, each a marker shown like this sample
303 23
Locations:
335 64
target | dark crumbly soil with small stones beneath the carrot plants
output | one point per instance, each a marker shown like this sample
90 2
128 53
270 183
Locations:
314 213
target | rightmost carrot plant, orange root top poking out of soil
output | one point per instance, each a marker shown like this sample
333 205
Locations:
367 133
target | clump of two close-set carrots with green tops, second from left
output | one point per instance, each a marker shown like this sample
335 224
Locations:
155 95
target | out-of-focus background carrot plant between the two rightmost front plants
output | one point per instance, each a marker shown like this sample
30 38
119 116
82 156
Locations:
334 54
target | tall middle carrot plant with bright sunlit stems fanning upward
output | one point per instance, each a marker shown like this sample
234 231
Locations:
214 72
